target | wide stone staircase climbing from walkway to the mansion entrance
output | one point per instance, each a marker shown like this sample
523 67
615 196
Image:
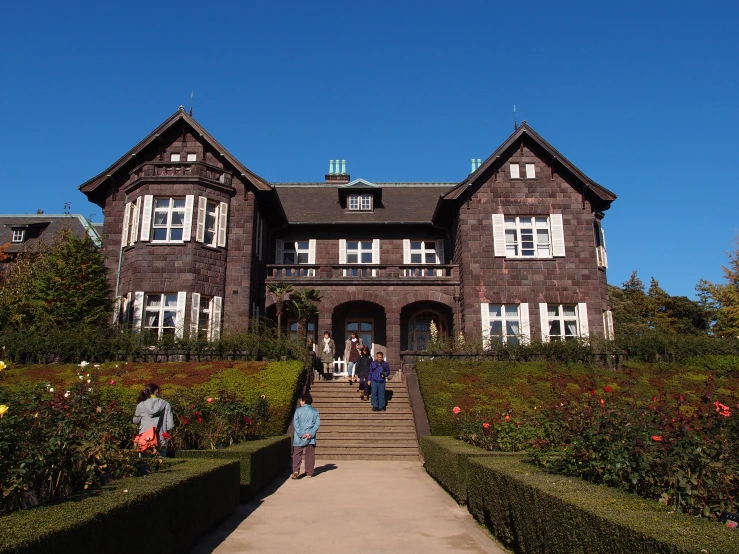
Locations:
350 430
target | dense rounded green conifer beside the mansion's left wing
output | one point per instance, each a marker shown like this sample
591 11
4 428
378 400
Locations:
70 284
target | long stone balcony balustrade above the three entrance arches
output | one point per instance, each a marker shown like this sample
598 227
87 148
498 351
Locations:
379 274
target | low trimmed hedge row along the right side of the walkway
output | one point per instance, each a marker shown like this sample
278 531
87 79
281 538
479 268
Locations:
540 513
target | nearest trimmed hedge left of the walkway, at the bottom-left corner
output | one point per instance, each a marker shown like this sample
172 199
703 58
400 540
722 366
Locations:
168 510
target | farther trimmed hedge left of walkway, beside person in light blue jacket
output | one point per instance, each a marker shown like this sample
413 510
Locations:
260 461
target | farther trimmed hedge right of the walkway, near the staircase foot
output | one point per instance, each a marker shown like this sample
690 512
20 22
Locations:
447 459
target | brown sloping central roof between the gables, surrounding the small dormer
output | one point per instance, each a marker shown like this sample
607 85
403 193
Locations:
306 203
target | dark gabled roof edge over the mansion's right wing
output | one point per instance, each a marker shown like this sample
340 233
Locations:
525 130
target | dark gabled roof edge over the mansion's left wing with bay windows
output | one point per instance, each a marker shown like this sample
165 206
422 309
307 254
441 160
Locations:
179 115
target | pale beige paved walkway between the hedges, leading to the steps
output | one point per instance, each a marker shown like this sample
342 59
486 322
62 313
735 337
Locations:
352 507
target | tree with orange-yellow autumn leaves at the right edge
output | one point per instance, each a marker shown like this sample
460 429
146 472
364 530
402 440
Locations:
722 300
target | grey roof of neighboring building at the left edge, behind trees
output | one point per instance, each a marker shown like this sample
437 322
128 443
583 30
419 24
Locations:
43 226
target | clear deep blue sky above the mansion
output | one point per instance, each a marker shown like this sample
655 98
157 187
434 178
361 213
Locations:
642 96
